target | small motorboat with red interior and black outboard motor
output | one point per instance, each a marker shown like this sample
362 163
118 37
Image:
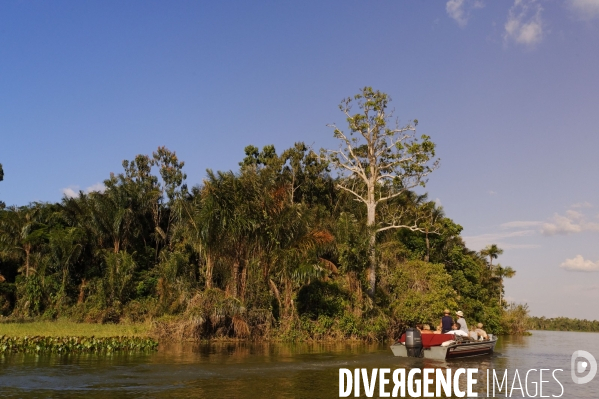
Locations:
440 346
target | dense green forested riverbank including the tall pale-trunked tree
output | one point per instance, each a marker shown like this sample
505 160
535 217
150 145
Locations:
295 244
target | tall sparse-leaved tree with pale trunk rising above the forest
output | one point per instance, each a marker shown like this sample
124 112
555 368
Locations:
381 160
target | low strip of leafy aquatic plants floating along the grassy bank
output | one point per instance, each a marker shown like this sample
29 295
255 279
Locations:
40 344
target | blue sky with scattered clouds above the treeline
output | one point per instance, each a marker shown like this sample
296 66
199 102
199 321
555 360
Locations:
509 91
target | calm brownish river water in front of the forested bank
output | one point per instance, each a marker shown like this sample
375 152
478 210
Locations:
246 370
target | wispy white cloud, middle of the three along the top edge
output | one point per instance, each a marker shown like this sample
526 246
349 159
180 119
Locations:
524 24
